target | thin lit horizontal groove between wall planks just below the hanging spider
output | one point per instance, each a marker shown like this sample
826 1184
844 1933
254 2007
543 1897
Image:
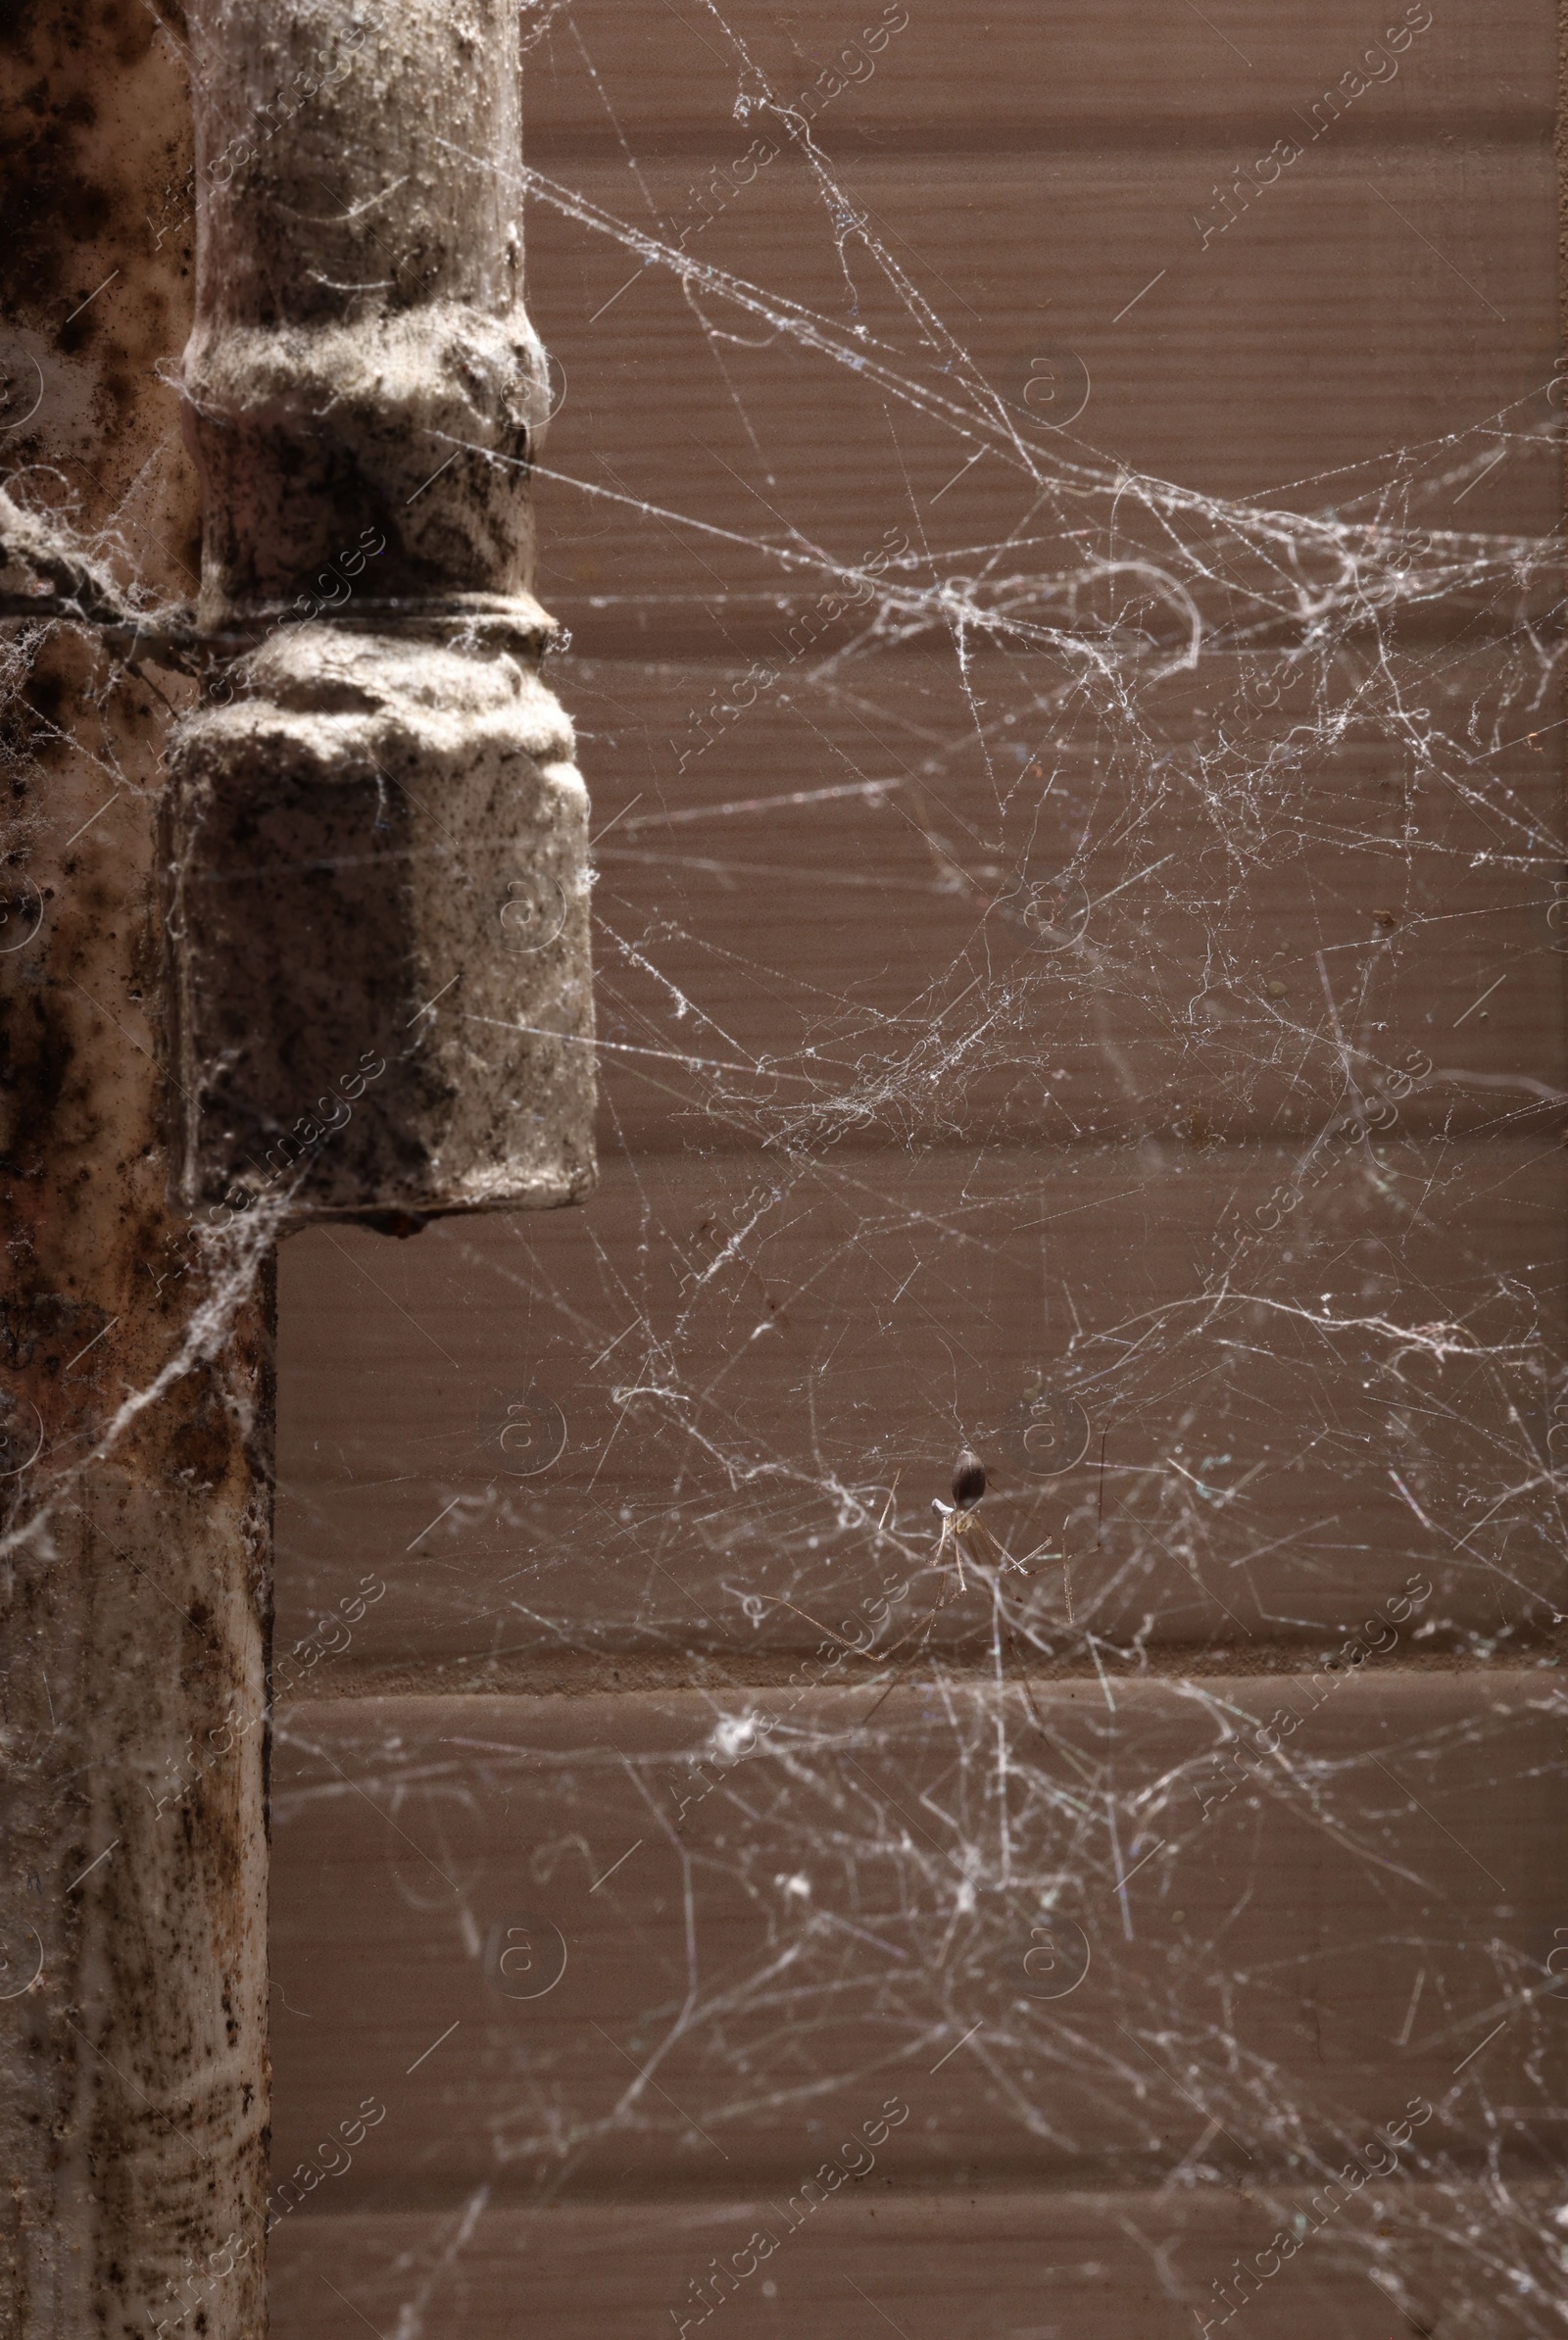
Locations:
551 1674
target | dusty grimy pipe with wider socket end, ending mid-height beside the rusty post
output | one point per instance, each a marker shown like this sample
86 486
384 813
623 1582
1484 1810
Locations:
378 848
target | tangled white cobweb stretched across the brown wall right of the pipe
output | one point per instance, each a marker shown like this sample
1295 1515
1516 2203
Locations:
1117 1096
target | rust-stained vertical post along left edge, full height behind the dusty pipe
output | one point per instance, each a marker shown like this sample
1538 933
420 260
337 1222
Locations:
132 1536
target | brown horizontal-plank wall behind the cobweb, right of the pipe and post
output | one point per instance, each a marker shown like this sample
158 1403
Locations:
1054 523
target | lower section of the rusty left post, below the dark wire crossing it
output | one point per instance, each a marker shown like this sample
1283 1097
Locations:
135 1578
